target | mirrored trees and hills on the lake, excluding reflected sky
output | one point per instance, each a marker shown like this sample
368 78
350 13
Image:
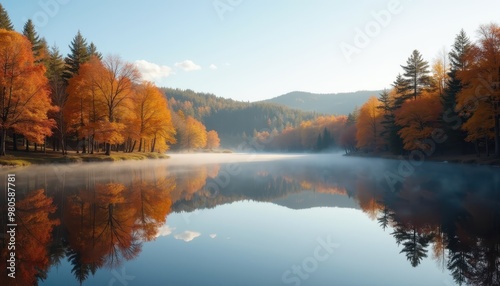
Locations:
95 217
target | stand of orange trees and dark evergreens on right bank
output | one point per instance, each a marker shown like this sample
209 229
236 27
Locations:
455 101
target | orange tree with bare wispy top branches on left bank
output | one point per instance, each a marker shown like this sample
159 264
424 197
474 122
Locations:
101 95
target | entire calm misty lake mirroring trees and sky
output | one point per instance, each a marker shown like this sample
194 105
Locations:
247 219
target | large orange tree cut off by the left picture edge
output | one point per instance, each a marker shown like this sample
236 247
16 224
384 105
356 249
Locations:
24 98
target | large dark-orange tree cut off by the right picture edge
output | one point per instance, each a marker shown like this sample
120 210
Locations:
479 99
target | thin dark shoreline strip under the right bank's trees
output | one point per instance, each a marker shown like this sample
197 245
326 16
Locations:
454 159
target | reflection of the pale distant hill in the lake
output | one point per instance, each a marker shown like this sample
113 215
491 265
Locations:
308 199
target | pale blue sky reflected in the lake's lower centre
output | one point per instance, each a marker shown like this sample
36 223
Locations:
256 243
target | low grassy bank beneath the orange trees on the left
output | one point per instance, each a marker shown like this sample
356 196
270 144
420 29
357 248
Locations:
22 158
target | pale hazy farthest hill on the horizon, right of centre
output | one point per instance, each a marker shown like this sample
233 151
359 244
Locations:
330 103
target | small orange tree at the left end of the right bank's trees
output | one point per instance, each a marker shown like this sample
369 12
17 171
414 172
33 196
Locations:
369 125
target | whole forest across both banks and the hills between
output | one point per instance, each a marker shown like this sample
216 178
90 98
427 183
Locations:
88 103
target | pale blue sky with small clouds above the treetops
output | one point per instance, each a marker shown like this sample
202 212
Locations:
253 50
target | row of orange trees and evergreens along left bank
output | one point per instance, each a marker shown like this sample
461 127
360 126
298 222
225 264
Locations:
84 101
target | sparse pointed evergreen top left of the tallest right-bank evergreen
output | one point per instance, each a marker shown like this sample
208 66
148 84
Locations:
416 74
